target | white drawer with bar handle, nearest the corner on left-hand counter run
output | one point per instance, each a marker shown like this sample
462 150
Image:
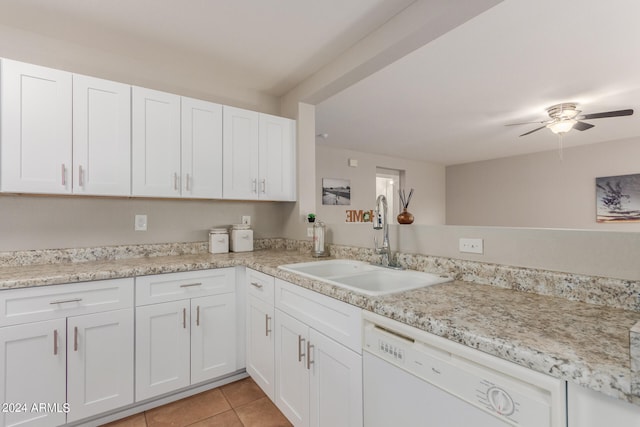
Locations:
176 286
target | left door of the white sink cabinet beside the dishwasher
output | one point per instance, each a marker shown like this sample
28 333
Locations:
292 371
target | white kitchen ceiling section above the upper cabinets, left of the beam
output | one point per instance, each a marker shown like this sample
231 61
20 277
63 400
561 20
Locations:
264 45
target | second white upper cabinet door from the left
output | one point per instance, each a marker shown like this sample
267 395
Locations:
101 137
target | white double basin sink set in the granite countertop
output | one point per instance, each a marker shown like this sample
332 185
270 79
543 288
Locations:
363 277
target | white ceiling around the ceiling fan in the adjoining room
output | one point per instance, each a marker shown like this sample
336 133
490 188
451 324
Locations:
448 101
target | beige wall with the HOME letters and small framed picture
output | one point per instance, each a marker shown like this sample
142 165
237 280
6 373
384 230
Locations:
428 200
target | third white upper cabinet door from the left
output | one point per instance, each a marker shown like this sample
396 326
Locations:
155 143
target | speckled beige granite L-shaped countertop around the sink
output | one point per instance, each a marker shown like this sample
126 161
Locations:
583 343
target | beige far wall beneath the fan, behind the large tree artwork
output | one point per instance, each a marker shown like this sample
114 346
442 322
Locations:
539 190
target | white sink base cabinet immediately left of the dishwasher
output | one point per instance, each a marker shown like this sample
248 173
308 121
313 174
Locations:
318 360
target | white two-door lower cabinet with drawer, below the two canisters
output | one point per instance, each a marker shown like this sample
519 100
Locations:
188 340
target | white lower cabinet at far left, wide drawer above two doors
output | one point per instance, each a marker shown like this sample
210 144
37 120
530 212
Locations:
67 351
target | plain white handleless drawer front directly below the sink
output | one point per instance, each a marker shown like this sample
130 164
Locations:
334 318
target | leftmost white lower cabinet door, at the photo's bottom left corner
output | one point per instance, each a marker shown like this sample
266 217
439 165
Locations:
33 367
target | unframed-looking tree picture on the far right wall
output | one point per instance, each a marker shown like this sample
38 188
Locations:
618 198
